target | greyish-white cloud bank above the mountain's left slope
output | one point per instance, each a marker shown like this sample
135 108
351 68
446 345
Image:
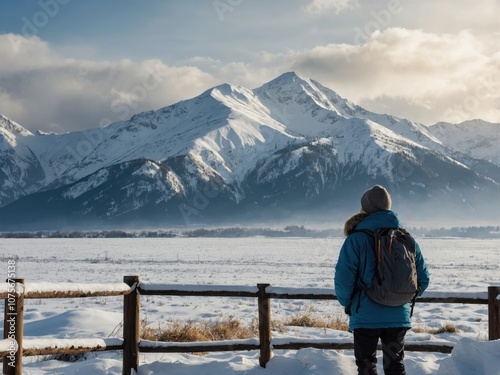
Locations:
42 90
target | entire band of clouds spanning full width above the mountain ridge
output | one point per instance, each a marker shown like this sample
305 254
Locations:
413 74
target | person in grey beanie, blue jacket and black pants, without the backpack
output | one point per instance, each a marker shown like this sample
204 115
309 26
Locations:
370 321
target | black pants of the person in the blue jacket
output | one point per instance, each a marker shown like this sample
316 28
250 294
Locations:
365 350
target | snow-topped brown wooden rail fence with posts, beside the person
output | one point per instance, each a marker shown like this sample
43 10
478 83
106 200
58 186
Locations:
13 348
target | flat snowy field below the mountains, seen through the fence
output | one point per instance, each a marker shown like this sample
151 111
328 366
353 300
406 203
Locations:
456 265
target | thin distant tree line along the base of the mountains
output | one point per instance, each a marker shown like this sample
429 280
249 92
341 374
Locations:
238 232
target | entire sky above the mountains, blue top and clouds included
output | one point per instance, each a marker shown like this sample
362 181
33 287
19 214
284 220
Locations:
71 64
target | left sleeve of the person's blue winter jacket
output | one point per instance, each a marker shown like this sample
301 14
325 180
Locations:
346 271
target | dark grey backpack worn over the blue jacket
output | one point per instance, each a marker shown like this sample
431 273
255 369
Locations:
395 281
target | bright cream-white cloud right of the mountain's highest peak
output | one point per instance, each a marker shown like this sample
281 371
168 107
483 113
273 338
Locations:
409 73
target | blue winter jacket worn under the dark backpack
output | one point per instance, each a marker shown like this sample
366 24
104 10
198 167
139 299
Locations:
355 269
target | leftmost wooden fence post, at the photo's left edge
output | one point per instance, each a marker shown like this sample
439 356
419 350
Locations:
13 328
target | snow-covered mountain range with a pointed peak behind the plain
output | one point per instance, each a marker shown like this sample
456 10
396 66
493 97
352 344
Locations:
291 146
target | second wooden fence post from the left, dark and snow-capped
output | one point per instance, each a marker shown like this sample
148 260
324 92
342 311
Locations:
131 326
